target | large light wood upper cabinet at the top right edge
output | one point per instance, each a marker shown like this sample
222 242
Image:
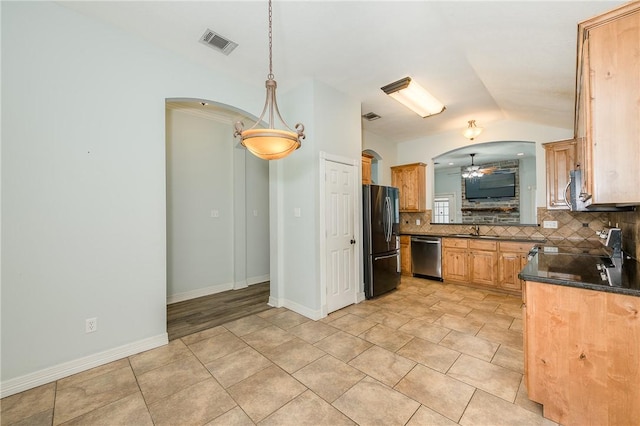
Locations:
608 107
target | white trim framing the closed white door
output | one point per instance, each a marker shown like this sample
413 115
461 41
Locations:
357 227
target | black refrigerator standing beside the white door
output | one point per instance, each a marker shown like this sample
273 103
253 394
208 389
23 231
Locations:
381 239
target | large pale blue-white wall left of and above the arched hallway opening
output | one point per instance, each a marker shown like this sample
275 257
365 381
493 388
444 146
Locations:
83 188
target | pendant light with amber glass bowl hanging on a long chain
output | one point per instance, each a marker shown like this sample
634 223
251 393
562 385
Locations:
270 143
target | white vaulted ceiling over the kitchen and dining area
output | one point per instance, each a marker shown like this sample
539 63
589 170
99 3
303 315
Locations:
485 60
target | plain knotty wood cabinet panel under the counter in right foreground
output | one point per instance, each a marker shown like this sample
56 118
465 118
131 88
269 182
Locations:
582 354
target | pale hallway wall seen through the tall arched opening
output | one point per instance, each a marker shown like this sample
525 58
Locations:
201 180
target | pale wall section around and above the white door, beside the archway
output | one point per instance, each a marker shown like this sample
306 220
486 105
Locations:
332 123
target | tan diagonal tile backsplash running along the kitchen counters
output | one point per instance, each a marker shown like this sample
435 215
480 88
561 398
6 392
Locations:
571 226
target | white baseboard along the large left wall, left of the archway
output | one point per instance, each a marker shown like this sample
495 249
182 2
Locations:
51 374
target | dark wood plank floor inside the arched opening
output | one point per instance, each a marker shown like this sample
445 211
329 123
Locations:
192 316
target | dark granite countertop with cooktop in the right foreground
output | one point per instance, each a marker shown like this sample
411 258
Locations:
583 266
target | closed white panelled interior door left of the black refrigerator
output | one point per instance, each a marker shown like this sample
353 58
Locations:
340 197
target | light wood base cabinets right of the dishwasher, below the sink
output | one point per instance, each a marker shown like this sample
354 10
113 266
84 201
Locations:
486 263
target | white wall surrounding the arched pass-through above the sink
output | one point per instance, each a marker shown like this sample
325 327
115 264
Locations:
425 149
